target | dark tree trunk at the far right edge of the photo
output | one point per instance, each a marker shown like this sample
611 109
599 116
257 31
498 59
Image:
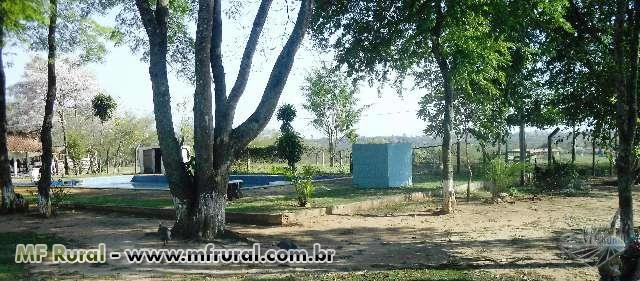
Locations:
625 81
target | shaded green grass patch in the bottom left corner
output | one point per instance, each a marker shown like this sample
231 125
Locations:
9 270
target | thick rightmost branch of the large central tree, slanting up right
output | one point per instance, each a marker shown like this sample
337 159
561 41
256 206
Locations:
251 127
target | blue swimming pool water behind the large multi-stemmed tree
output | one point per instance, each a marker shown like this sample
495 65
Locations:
160 181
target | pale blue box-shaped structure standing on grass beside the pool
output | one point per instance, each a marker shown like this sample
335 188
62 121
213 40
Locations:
382 165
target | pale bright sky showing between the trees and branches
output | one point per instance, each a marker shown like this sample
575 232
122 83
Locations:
125 77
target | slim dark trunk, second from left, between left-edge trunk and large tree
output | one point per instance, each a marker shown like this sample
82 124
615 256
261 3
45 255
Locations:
44 191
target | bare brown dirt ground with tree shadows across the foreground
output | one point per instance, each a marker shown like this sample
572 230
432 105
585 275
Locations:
520 237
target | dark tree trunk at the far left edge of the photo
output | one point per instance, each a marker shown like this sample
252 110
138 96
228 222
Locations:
8 194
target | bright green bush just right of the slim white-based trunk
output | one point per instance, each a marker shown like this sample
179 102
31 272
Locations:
502 175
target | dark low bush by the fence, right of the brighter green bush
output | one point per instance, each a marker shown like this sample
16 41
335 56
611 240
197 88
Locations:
559 177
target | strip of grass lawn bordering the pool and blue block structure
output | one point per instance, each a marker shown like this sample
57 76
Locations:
326 194
